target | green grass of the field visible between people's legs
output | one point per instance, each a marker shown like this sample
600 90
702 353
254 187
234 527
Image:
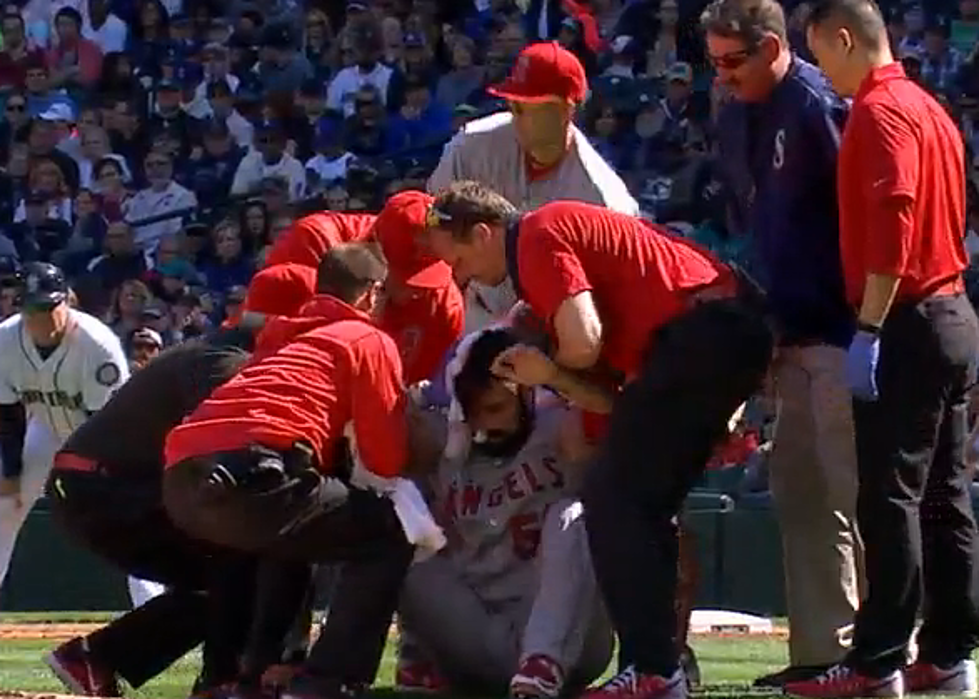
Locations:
728 665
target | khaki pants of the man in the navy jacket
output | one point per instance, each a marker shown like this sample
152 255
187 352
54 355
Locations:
813 479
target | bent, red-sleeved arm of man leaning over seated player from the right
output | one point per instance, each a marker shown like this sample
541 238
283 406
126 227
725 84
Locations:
556 288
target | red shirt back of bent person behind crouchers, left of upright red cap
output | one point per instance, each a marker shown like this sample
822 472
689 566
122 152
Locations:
309 238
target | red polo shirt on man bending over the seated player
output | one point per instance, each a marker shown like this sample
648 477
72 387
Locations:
639 275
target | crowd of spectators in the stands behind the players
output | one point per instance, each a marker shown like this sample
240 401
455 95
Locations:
154 148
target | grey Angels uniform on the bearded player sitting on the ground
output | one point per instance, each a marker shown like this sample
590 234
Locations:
516 577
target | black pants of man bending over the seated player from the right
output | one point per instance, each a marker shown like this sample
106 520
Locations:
662 430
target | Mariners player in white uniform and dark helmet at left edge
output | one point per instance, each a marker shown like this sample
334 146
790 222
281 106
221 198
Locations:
57 366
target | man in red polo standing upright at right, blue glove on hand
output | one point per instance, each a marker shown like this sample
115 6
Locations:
902 218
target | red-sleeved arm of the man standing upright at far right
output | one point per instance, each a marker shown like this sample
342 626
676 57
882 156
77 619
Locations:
890 149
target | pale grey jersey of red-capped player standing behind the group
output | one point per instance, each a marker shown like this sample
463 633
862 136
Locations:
486 150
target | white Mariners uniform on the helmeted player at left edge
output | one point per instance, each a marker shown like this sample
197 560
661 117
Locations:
58 392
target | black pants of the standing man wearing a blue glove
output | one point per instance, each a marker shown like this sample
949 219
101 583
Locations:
913 507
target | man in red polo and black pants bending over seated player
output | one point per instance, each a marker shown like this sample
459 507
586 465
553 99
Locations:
628 305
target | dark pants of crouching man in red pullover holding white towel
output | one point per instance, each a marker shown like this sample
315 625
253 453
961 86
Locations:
301 518
